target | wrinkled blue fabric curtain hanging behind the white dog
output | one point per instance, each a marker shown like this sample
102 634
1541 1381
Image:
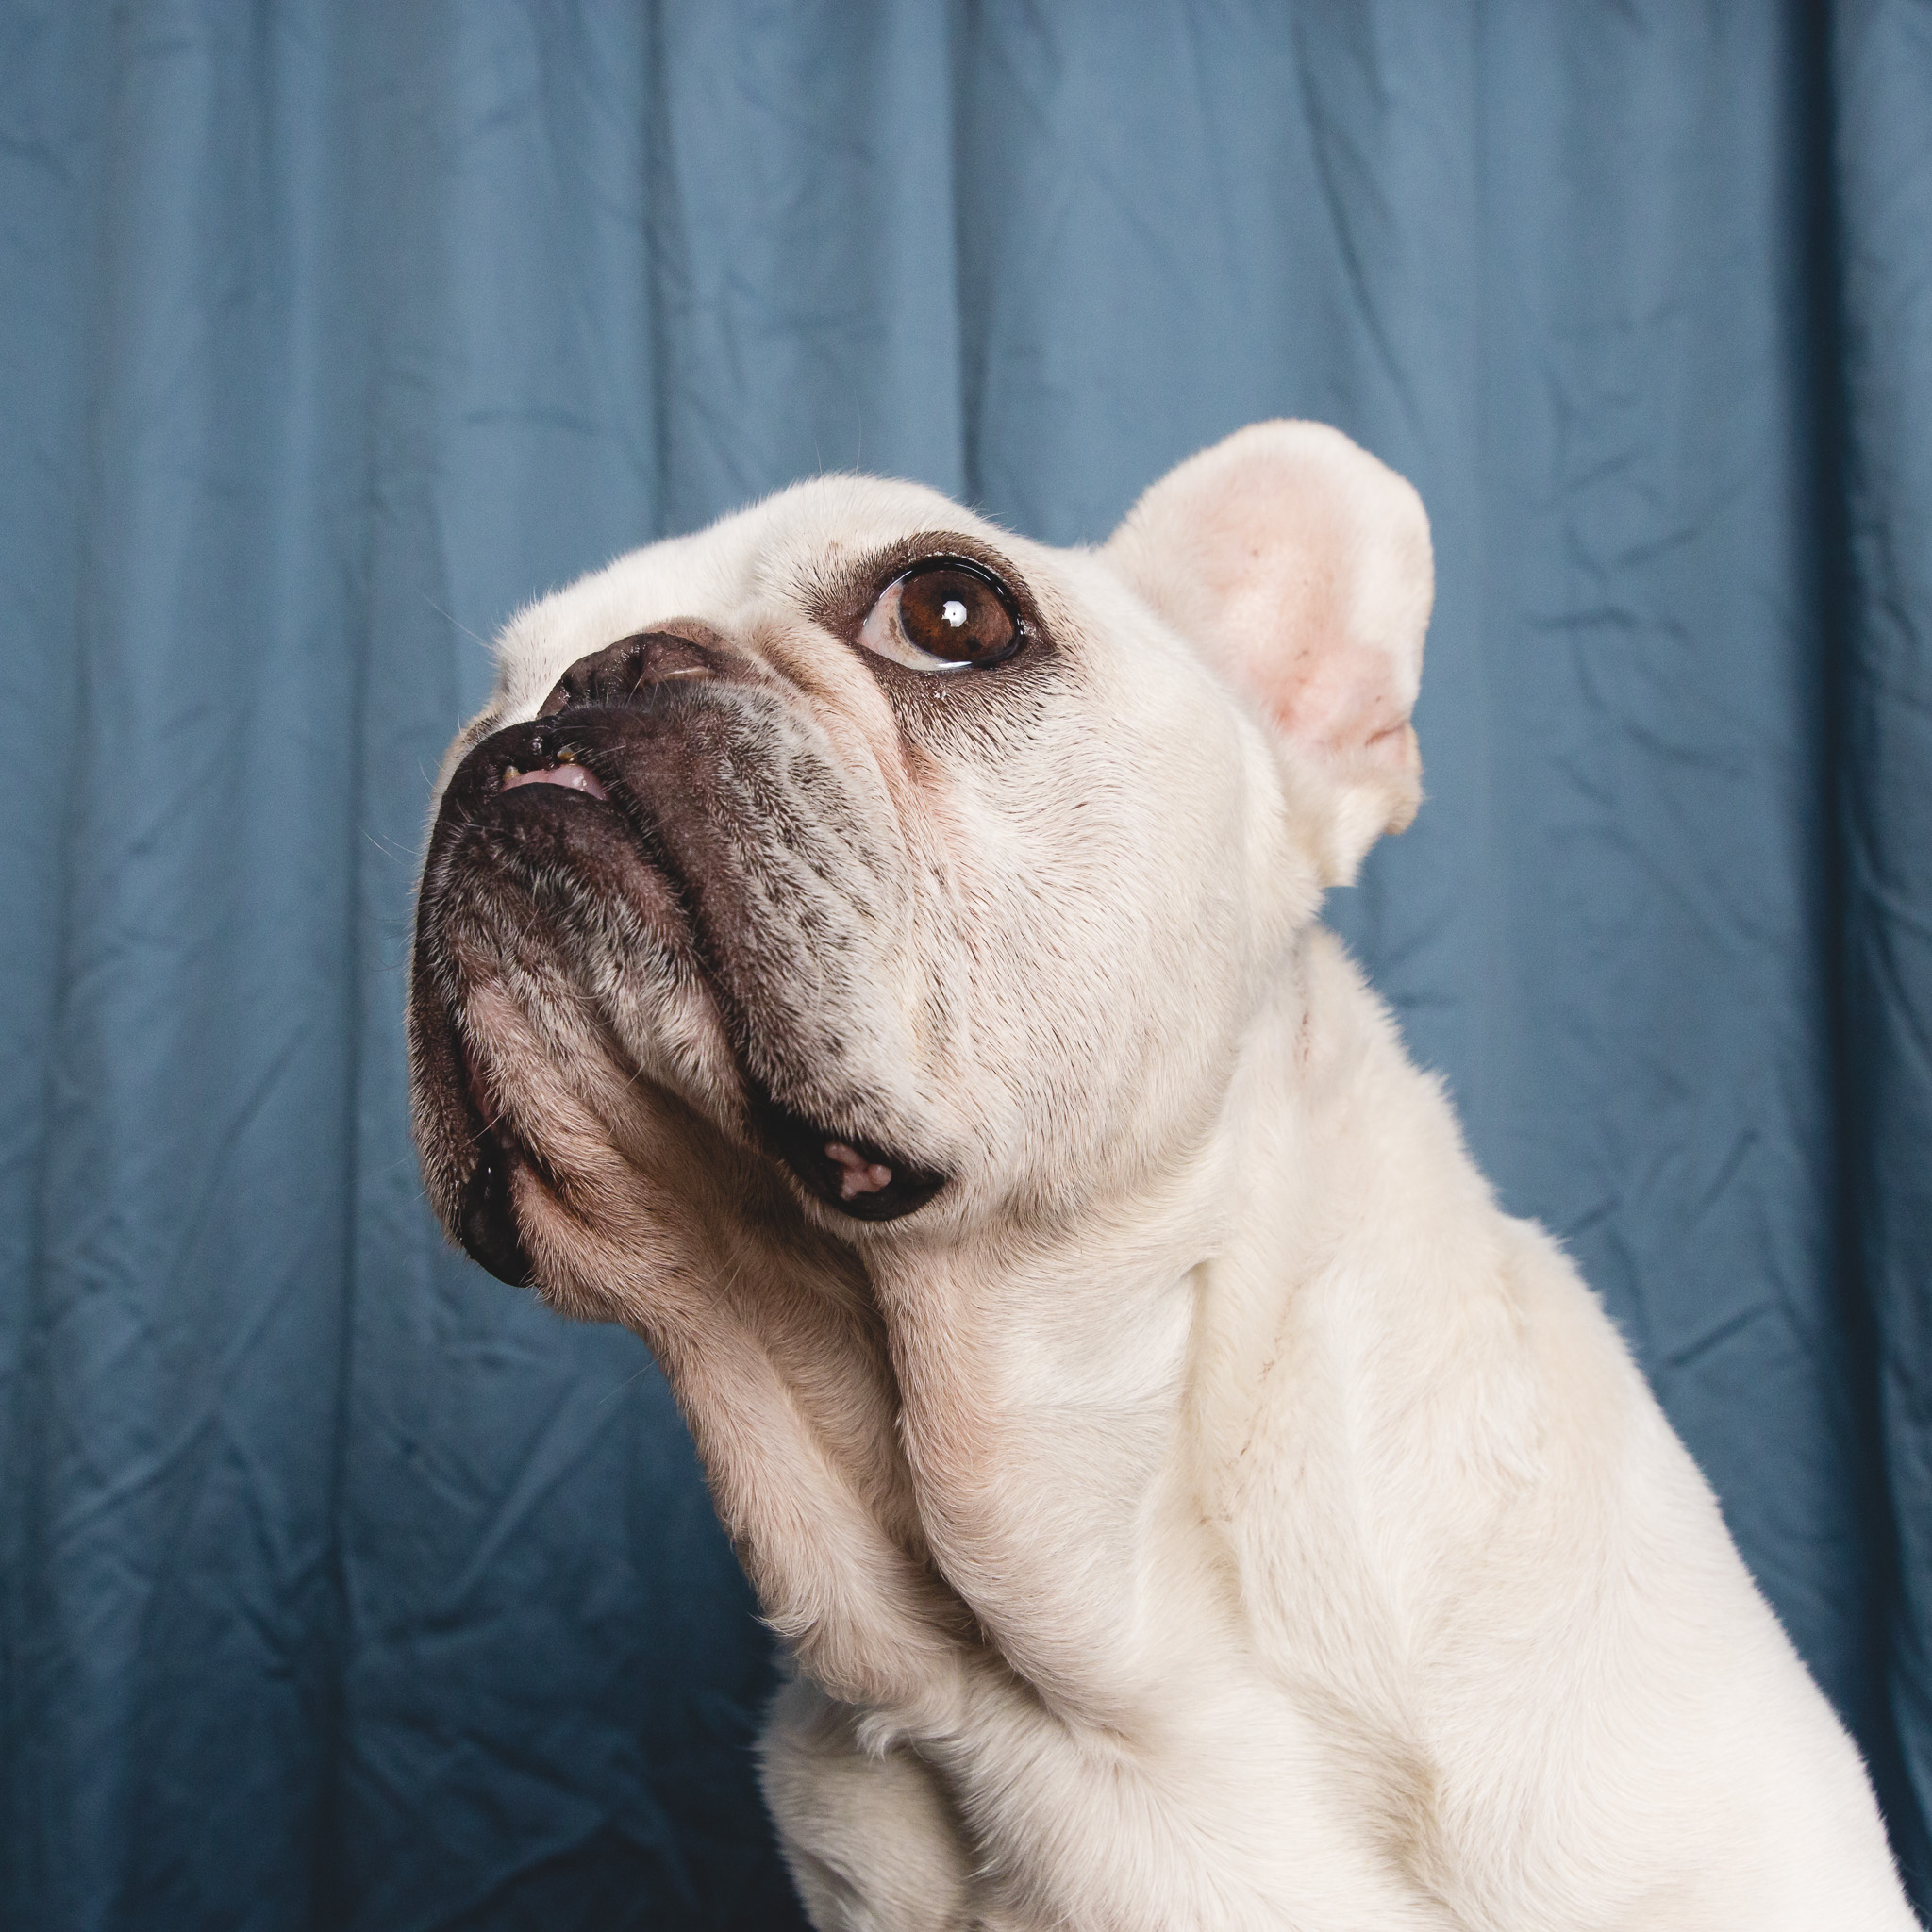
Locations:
347 1589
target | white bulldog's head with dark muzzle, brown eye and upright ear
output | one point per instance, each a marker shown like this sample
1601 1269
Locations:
859 861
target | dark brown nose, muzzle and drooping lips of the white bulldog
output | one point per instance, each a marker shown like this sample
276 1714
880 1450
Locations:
627 785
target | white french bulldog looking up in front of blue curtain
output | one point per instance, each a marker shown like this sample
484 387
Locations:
876 959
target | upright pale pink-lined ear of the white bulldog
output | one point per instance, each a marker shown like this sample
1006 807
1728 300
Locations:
1301 567
